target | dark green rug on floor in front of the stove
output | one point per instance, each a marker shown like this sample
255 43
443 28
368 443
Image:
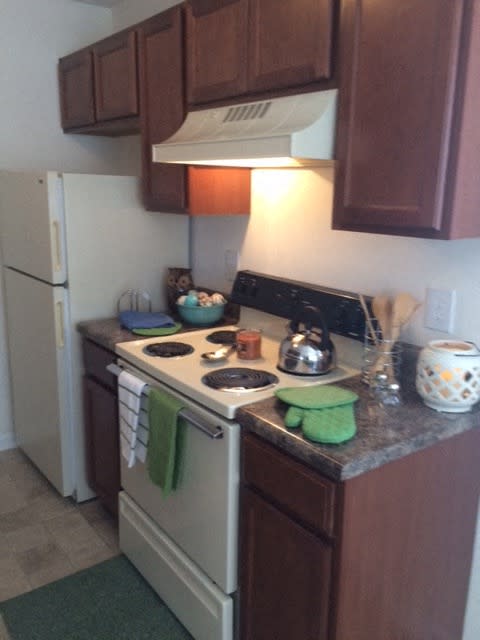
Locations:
108 601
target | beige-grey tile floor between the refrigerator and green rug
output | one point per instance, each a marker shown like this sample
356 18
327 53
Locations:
44 537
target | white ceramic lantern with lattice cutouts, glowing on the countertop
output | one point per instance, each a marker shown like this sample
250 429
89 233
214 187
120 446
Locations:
448 375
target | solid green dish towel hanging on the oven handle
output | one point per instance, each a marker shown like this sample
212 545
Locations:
166 440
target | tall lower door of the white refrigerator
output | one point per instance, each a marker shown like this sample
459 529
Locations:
39 356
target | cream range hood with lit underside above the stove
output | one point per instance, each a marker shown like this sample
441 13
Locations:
289 131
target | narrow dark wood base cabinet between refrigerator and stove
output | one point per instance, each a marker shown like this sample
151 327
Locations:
101 425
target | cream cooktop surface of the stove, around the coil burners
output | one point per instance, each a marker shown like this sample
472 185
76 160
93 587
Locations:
186 373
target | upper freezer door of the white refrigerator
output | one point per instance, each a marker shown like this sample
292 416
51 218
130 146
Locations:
32 224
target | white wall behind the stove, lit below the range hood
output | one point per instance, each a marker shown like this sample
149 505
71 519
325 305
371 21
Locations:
288 234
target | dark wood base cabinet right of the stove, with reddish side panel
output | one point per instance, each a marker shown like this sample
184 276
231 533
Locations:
385 554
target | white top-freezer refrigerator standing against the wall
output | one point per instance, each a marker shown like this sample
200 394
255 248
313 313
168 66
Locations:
71 245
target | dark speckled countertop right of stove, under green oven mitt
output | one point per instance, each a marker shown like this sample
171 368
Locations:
383 434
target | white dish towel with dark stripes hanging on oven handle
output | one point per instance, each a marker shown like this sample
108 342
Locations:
131 394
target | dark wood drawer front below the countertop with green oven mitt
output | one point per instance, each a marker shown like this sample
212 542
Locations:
305 494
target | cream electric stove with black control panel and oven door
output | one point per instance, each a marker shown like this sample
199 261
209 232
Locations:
185 544
